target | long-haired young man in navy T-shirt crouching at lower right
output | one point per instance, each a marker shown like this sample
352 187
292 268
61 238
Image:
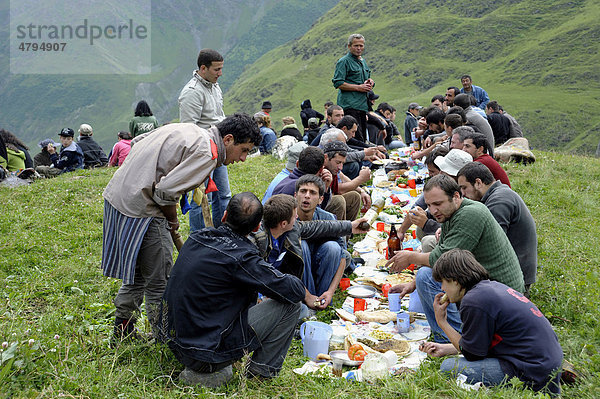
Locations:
504 335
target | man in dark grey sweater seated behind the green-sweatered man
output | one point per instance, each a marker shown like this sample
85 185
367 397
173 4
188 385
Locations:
478 184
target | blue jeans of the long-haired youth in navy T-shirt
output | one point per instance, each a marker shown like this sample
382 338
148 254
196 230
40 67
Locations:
487 370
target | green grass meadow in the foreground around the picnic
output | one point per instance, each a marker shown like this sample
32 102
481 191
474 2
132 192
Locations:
56 311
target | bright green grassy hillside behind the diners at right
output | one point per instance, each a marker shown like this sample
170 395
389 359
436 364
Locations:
539 59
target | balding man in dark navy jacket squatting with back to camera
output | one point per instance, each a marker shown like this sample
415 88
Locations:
212 318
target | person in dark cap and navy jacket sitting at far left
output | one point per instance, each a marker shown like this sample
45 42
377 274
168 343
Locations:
69 159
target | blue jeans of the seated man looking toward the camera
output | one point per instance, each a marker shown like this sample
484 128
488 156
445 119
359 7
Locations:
320 265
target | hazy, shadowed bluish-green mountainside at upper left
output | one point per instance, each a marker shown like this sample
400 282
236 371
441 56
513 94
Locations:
38 106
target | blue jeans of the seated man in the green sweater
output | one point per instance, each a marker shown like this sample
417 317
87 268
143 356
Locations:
428 288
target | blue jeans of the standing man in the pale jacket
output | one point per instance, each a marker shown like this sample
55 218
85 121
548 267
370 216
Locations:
218 200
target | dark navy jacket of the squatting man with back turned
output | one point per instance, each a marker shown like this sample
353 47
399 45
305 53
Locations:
212 285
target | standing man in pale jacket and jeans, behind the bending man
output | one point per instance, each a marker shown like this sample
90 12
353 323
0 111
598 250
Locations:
201 102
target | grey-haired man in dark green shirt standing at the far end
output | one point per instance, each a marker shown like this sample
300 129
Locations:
352 78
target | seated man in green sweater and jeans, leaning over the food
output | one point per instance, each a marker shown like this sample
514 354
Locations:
467 225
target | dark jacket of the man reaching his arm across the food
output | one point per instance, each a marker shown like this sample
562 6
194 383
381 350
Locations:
292 262
